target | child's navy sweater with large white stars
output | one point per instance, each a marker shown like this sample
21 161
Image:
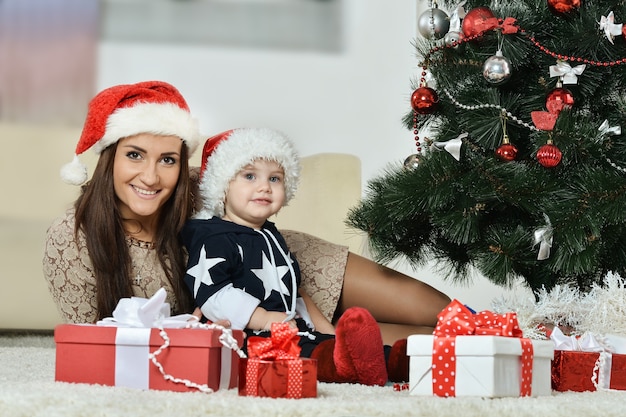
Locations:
233 269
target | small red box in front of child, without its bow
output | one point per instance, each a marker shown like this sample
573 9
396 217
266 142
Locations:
280 378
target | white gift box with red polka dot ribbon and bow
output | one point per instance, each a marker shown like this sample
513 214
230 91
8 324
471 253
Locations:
481 354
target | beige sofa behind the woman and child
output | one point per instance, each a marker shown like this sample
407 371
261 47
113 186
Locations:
33 195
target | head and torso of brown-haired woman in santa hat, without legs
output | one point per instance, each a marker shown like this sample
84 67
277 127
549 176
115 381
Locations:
120 238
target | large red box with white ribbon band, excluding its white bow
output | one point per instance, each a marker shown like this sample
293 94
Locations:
120 356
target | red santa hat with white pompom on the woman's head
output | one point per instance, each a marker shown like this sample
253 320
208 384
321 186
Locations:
130 109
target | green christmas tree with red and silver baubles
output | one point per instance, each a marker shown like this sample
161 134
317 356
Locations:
520 164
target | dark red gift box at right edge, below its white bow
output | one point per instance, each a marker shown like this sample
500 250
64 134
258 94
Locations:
574 370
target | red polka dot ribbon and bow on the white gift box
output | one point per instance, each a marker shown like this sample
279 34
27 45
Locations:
458 320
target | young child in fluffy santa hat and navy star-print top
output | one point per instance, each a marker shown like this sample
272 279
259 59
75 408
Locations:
241 270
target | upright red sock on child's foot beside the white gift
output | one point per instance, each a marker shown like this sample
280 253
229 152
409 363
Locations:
358 354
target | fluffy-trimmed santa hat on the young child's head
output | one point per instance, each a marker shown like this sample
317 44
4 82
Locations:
225 154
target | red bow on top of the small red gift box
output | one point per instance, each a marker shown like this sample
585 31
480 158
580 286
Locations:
282 344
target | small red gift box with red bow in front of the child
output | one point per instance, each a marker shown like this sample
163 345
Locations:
274 369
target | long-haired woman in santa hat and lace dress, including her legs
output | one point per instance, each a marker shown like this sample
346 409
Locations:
106 248
